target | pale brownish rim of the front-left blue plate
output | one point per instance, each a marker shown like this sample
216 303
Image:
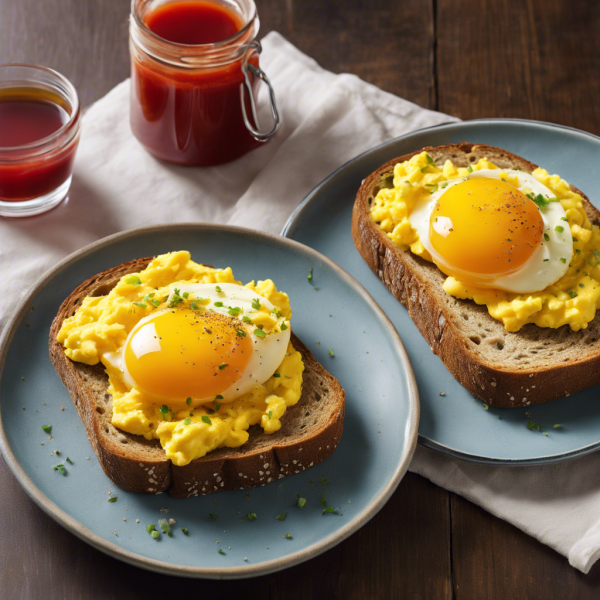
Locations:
243 571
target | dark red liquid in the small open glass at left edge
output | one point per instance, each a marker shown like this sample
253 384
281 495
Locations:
28 115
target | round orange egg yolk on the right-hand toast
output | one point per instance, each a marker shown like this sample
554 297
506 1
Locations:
484 226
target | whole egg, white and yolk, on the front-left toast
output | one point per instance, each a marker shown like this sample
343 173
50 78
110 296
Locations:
186 357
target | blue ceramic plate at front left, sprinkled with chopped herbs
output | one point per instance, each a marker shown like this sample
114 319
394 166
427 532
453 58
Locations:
380 427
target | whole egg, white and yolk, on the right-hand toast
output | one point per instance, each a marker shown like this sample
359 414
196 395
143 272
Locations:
487 231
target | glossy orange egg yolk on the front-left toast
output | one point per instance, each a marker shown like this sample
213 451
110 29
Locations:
183 353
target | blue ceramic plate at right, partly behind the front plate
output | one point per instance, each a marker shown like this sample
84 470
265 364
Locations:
456 424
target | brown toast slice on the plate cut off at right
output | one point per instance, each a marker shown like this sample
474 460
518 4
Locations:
505 369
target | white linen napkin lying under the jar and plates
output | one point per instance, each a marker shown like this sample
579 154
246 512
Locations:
327 120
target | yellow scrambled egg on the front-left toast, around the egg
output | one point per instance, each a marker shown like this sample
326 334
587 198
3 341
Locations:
101 326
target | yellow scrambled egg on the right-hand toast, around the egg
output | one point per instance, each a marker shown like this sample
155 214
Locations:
572 300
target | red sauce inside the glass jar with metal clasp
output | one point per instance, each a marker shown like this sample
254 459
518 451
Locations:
190 116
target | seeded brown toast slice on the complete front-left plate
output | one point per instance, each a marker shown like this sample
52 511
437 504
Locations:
310 432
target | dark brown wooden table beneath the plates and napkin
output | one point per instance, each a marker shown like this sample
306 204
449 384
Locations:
538 59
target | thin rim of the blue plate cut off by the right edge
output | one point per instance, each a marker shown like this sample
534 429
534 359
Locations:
291 223
